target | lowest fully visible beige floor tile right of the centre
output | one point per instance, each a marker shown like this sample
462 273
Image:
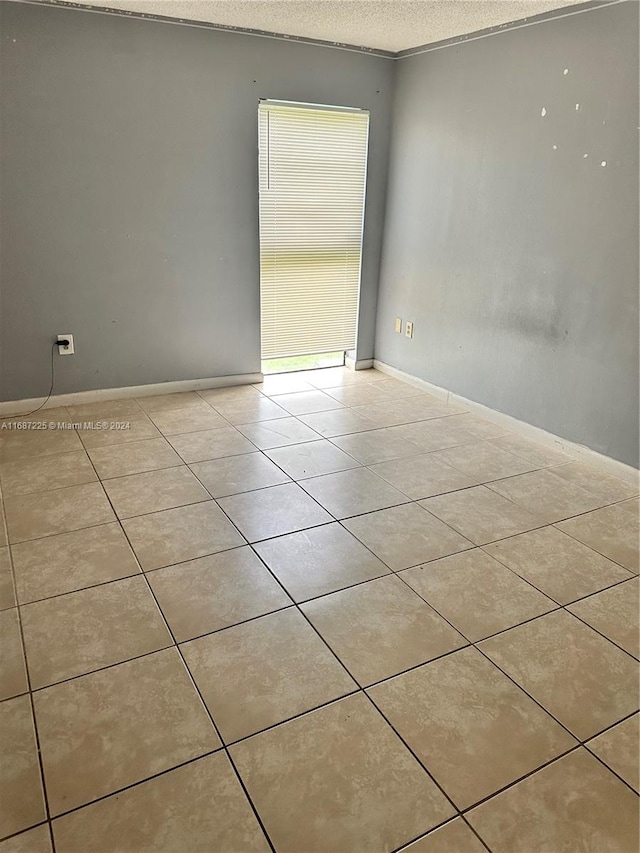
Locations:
471 727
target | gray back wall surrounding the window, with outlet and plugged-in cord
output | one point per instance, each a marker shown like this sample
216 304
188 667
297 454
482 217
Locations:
129 213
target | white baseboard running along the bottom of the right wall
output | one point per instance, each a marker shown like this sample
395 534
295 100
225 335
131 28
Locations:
581 453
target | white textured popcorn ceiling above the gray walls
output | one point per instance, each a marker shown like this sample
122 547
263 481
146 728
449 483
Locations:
392 25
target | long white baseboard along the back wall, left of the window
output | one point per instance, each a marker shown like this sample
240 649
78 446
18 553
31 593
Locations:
14 407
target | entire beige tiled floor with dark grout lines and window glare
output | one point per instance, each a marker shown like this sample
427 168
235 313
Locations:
326 614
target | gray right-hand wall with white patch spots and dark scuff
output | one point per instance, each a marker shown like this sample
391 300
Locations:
518 263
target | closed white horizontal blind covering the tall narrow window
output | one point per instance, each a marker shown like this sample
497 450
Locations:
313 165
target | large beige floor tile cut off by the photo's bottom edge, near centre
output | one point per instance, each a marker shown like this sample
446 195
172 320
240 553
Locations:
338 779
